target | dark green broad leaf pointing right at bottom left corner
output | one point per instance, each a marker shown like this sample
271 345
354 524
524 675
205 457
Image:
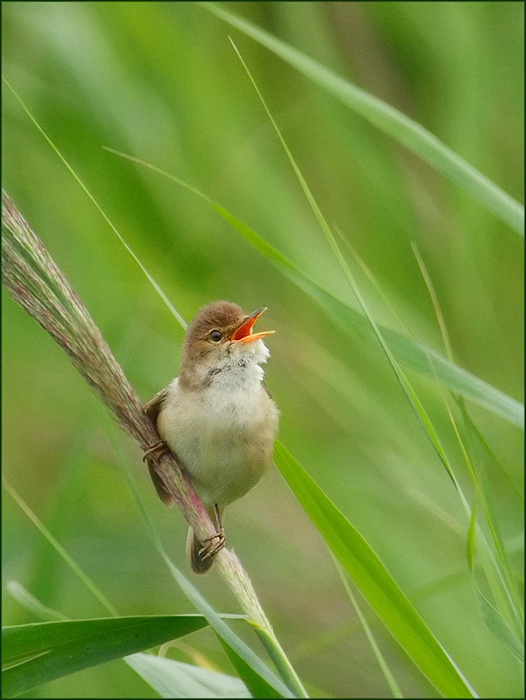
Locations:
38 653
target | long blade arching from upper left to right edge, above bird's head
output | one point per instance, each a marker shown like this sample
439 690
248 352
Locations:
414 355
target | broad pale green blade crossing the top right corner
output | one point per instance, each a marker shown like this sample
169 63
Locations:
391 121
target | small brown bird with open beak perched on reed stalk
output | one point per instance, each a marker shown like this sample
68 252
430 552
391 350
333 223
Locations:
217 417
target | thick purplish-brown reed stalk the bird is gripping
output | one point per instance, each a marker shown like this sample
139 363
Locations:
36 283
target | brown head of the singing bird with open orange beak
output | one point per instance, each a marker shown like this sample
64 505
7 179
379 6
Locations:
219 338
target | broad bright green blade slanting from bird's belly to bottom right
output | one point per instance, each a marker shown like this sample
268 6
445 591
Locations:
374 581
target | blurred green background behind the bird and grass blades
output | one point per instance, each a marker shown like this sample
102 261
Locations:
161 82
